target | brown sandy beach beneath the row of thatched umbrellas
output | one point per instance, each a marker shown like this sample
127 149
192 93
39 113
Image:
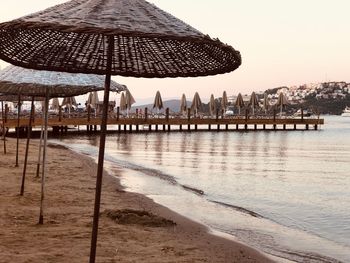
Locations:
65 236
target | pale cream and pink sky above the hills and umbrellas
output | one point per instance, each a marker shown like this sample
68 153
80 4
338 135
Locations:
282 42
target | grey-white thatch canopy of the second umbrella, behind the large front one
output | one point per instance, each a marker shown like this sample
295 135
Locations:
17 80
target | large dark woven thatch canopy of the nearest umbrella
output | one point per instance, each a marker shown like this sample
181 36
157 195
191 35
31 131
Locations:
148 42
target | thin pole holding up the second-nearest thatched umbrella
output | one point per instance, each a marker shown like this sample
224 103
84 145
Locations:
41 216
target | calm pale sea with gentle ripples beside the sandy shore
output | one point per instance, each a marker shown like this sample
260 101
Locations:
286 193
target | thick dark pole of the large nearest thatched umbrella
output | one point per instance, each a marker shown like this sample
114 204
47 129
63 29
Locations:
101 151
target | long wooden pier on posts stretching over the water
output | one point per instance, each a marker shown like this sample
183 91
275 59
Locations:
136 123
